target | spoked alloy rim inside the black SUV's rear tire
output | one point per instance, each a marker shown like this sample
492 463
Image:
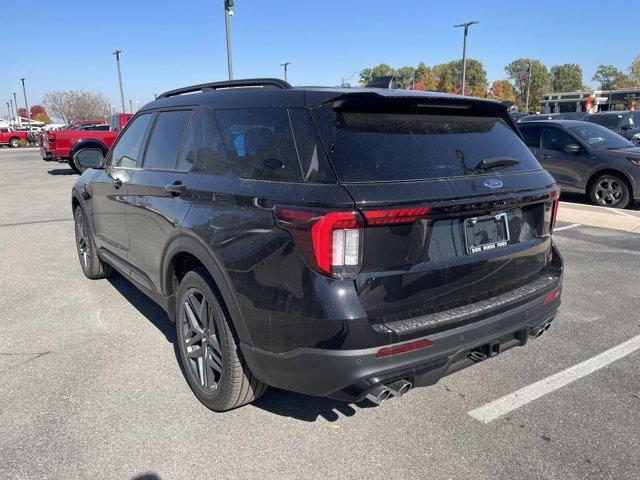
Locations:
201 341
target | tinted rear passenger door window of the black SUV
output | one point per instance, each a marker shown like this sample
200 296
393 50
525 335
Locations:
166 139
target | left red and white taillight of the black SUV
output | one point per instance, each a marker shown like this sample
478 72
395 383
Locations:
330 241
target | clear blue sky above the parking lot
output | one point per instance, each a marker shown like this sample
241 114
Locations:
170 44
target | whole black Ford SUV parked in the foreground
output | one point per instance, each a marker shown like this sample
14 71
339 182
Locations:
348 243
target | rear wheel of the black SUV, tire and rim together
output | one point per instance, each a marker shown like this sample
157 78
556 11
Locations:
209 349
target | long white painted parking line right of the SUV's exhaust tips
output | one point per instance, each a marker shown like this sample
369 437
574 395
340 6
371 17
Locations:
517 399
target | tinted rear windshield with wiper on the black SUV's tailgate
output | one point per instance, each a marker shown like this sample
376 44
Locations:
370 147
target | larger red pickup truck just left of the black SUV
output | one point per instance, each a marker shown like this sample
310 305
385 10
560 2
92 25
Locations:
63 145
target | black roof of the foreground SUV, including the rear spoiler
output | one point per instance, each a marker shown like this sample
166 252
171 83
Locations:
307 96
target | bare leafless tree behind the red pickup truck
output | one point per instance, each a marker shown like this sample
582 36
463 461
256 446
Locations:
76 105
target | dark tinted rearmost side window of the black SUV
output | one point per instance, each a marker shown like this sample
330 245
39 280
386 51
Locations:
260 144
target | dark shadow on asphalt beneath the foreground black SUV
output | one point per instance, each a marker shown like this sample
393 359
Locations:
280 402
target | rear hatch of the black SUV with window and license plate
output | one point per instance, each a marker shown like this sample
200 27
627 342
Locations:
457 211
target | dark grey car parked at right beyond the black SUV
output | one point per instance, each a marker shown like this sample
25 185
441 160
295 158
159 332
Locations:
587 158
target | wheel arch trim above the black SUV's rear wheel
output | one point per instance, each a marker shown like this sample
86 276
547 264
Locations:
188 242
